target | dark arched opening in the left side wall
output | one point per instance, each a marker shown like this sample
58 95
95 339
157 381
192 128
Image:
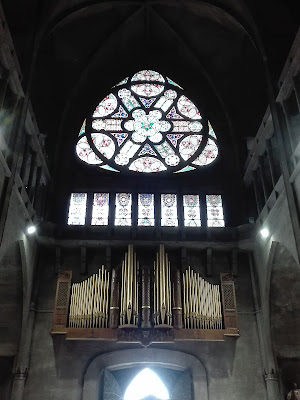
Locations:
11 303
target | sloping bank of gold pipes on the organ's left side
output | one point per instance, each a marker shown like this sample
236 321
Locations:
89 301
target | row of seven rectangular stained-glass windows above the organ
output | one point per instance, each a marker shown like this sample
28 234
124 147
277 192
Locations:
169 209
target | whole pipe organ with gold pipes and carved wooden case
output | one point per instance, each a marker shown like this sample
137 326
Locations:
141 304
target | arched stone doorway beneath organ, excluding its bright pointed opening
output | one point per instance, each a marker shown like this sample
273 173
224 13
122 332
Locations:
109 375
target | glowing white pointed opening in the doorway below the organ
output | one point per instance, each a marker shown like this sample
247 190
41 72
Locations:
146 383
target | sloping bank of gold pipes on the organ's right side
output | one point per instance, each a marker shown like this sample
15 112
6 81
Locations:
201 302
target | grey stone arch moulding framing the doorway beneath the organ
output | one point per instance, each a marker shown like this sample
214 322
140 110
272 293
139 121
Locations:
144 357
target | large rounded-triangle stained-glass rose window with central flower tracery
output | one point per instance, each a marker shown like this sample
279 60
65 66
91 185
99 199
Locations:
147 124
